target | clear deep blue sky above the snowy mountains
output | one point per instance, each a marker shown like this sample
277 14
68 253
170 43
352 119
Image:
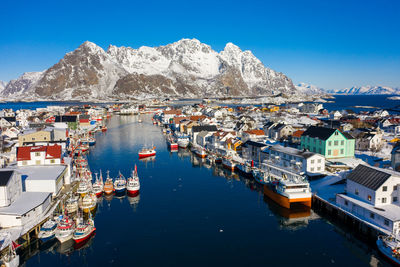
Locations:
330 43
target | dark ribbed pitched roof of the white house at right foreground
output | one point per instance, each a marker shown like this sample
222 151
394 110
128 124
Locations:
369 177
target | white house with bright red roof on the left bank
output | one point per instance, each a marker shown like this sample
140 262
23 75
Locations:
39 155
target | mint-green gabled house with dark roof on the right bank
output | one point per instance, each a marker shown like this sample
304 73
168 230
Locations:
328 142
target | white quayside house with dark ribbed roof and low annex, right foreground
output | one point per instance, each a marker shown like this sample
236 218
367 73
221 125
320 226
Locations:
372 194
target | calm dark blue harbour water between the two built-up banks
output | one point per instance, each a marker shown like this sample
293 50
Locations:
192 214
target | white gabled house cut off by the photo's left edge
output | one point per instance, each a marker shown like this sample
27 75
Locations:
10 186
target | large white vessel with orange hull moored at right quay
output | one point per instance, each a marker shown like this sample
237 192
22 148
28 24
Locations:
285 192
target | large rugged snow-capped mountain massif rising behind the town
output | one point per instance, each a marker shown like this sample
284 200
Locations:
187 68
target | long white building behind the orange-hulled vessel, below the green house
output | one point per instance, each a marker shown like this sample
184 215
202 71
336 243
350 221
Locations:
299 161
